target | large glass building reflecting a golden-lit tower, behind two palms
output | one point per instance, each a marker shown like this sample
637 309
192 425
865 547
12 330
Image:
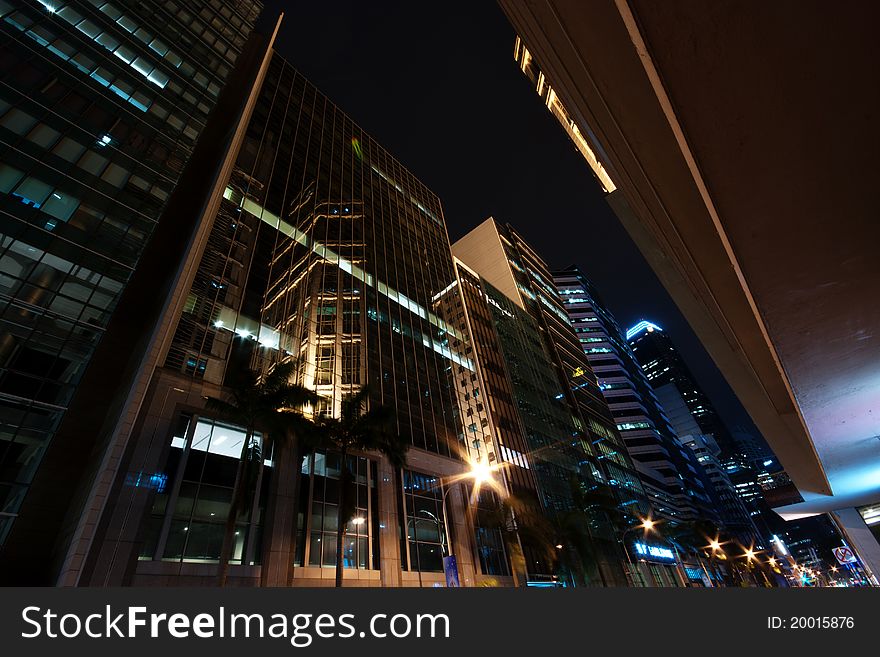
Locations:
327 252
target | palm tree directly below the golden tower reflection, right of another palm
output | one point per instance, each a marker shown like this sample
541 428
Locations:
360 428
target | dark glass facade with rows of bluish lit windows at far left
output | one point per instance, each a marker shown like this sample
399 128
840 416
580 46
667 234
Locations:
101 105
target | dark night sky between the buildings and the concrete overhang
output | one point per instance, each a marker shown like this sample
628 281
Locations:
436 84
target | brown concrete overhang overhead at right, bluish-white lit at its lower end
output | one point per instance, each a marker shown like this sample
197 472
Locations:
742 138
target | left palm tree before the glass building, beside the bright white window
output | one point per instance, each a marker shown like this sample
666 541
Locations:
268 402
